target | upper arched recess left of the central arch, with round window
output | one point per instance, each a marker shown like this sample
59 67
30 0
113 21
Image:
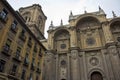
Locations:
61 40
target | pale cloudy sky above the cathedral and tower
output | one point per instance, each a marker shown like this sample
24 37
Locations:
55 10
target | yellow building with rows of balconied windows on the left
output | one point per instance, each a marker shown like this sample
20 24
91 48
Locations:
21 53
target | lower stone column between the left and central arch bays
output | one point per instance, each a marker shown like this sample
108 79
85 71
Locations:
75 71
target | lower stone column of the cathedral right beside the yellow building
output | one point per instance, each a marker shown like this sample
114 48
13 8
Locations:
50 66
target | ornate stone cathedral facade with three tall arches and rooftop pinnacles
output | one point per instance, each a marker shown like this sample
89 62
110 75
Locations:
88 48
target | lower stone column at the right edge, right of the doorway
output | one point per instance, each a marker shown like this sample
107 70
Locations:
114 59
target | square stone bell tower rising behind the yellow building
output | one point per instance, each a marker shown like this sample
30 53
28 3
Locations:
35 19
